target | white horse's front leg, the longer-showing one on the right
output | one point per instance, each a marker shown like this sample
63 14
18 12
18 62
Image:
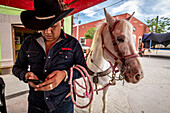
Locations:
104 98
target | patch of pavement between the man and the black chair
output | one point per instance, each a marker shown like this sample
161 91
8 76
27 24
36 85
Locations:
16 93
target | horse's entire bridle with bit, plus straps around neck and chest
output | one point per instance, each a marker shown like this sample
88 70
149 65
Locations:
118 59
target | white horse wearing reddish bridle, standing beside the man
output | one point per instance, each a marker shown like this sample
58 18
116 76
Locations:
113 47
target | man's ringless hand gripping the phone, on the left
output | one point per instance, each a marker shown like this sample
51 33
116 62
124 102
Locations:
31 75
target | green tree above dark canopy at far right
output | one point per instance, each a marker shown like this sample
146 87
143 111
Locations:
157 25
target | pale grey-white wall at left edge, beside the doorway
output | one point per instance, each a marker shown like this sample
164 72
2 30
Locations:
6 39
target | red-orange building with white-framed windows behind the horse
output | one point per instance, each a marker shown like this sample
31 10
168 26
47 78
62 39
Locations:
139 28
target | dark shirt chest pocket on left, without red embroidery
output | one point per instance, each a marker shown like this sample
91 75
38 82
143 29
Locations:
32 56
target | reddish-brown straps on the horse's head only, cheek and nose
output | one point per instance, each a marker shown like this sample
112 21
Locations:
120 58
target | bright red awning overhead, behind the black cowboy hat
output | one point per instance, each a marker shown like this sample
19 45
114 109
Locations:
78 5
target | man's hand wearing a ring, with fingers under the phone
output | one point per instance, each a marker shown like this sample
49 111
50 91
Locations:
52 81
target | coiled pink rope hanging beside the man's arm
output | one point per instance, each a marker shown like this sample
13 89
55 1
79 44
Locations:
89 90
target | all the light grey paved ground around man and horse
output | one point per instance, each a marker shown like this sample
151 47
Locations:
151 95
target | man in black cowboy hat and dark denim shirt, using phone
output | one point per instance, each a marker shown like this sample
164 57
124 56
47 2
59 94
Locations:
48 56
